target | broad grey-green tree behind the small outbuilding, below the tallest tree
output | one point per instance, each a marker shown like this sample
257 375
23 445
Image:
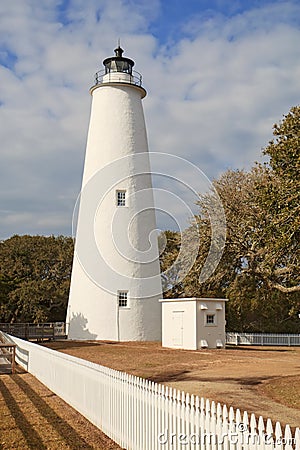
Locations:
246 271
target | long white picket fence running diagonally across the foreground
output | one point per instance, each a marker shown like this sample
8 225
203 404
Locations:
141 415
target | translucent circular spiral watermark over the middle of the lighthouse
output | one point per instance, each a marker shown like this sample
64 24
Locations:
102 231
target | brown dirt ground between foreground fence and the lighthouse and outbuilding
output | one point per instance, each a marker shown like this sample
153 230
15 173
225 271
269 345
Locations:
262 380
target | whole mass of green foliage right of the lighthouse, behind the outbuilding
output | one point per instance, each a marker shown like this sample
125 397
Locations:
260 268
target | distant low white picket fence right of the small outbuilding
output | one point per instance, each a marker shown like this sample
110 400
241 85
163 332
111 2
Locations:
262 339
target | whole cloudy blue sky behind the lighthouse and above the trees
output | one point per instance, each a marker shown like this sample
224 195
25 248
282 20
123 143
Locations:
218 75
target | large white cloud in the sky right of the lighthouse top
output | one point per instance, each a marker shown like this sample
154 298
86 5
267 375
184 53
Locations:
234 90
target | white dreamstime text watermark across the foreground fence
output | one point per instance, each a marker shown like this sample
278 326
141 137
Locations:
240 437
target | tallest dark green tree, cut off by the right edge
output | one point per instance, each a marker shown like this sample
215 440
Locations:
280 197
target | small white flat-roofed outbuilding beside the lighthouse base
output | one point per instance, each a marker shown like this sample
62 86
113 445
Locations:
193 323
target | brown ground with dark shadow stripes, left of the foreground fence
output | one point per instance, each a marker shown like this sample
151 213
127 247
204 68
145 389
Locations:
32 417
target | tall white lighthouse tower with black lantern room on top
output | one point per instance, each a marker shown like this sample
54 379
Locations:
115 285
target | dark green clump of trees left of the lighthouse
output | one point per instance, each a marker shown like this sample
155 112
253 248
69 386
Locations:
35 278
